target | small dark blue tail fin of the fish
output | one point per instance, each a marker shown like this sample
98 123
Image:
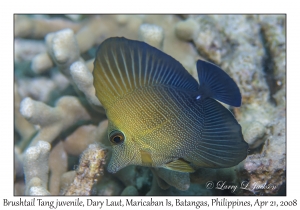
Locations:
215 83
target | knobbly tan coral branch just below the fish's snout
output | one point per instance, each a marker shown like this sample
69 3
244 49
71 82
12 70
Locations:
89 170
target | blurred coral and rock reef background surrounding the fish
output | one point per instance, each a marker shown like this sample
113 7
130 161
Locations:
60 138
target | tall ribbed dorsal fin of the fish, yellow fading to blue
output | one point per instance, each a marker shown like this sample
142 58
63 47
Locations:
123 65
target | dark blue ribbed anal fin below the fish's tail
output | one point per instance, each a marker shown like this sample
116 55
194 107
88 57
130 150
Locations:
222 144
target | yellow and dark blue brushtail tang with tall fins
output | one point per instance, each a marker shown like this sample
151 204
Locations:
160 116
